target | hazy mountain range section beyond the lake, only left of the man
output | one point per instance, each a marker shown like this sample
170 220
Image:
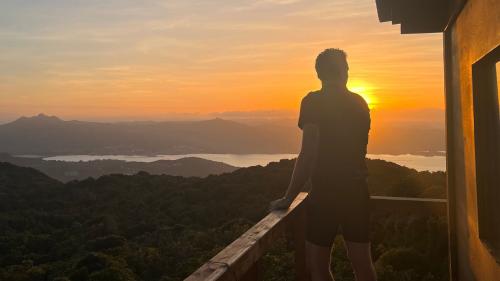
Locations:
49 135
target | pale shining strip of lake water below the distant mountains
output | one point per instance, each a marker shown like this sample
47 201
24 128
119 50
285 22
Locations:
417 162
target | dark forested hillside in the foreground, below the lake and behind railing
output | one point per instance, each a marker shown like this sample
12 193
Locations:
159 227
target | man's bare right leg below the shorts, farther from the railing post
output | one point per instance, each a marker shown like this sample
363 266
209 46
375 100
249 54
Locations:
361 260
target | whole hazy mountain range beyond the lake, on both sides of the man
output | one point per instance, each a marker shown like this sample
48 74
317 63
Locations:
49 135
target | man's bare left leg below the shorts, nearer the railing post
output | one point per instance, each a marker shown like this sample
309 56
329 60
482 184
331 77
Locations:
318 262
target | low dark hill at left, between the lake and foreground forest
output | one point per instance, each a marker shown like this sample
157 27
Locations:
68 171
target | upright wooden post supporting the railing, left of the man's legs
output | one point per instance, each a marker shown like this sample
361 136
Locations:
299 242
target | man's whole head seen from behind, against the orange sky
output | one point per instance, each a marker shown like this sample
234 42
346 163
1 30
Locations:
331 66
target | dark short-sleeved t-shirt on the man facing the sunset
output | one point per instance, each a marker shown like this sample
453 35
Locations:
344 122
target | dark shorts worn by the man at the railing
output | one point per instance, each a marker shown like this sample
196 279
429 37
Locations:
338 207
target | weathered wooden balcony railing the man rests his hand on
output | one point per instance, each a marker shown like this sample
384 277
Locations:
240 261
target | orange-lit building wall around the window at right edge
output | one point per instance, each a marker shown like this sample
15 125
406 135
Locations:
475 32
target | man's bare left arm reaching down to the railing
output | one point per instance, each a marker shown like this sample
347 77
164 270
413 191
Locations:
303 166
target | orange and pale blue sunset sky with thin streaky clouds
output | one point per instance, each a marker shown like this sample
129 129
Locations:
162 59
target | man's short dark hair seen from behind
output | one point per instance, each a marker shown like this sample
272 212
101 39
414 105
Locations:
331 63
